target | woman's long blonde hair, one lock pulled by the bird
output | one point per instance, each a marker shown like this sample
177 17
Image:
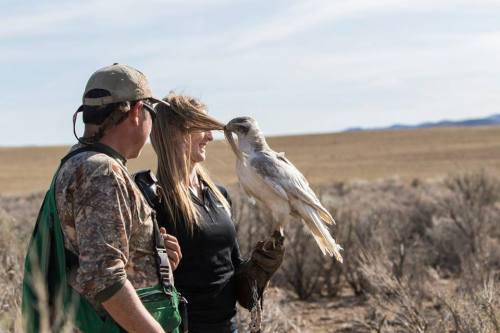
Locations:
171 142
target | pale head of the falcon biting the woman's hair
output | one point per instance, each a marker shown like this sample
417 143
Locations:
248 133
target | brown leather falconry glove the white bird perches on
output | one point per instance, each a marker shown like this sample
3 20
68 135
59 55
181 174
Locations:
255 273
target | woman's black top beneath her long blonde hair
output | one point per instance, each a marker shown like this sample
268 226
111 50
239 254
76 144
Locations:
210 257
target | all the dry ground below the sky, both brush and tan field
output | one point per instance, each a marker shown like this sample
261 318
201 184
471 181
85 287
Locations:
417 213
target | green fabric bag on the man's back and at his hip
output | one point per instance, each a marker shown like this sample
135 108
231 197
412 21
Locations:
45 274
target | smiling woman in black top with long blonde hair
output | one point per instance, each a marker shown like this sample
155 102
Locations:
197 213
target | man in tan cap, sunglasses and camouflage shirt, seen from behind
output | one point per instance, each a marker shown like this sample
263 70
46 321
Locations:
110 238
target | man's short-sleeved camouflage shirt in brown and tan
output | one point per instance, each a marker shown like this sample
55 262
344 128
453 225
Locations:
107 223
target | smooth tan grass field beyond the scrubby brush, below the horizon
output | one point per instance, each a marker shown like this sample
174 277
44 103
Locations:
425 153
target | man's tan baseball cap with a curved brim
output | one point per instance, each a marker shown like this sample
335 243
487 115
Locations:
120 83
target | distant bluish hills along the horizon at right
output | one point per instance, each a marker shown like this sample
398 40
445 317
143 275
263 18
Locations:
491 120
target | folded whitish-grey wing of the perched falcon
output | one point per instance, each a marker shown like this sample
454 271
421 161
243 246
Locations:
280 174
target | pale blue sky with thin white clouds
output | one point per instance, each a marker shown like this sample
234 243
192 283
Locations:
295 66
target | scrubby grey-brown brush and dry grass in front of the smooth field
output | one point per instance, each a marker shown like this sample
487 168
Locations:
399 274
